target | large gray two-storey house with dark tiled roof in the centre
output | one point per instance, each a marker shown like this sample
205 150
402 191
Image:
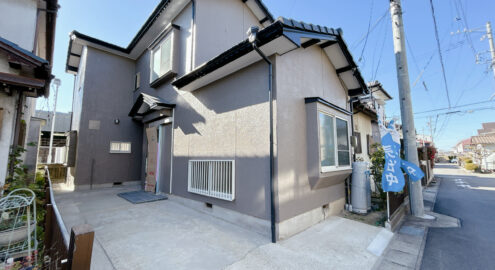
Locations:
185 110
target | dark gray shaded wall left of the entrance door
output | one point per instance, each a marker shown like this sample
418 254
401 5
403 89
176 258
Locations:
107 95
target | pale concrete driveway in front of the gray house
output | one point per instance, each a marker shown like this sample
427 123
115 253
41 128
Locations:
169 235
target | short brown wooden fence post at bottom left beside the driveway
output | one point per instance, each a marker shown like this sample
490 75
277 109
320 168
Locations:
81 247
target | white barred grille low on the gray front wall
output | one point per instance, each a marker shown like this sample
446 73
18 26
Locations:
213 178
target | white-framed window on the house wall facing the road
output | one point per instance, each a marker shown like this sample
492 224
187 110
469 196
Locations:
335 167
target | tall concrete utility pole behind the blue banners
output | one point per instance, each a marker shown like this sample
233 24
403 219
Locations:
415 189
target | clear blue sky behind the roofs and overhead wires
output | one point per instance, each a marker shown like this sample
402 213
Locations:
117 21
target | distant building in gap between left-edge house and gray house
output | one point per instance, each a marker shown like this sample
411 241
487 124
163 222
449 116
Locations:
61 129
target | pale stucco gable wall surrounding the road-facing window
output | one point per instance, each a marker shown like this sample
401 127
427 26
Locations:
299 74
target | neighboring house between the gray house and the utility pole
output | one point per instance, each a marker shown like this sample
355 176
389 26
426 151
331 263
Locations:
365 120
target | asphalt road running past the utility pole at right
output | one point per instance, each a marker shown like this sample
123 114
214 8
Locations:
470 198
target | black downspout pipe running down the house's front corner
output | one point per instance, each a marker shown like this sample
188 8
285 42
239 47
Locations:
252 32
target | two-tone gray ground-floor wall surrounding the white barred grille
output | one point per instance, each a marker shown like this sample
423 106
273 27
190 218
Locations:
227 119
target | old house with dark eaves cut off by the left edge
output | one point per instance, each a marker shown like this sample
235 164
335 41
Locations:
27 30
